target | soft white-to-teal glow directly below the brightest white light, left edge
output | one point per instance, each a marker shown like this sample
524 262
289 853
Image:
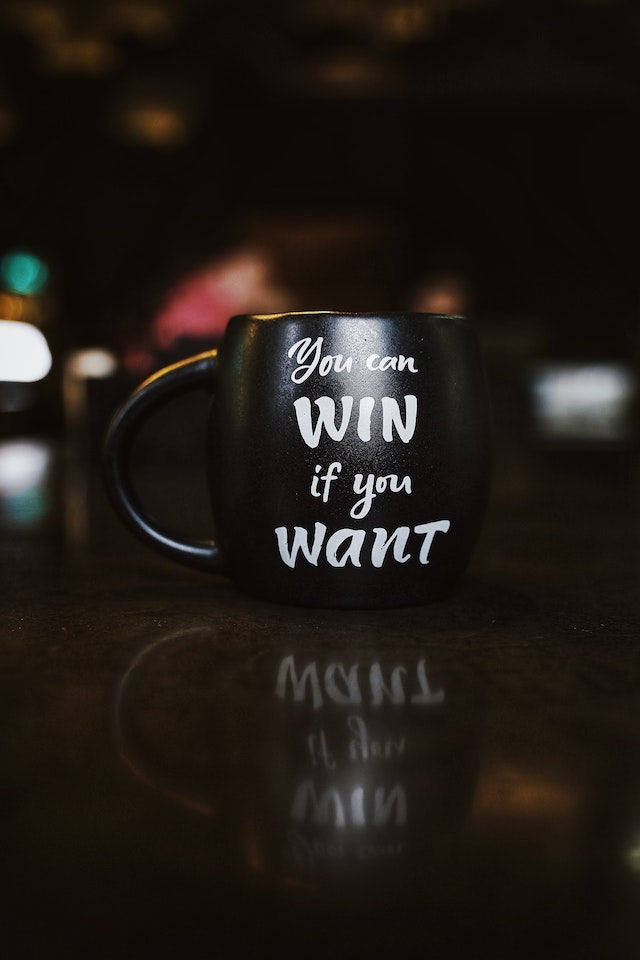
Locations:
24 481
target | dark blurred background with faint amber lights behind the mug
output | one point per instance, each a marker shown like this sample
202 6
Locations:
475 156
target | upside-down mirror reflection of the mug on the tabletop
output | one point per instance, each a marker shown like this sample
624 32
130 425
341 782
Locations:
333 770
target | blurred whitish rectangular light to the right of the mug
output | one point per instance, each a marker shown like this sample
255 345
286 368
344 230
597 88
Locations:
588 403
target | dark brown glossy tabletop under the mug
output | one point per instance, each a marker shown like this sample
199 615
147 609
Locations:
188 772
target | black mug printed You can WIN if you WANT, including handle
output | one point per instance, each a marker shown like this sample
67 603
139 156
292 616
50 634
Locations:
349 456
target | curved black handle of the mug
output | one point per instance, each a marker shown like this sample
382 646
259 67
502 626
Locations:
173 381
